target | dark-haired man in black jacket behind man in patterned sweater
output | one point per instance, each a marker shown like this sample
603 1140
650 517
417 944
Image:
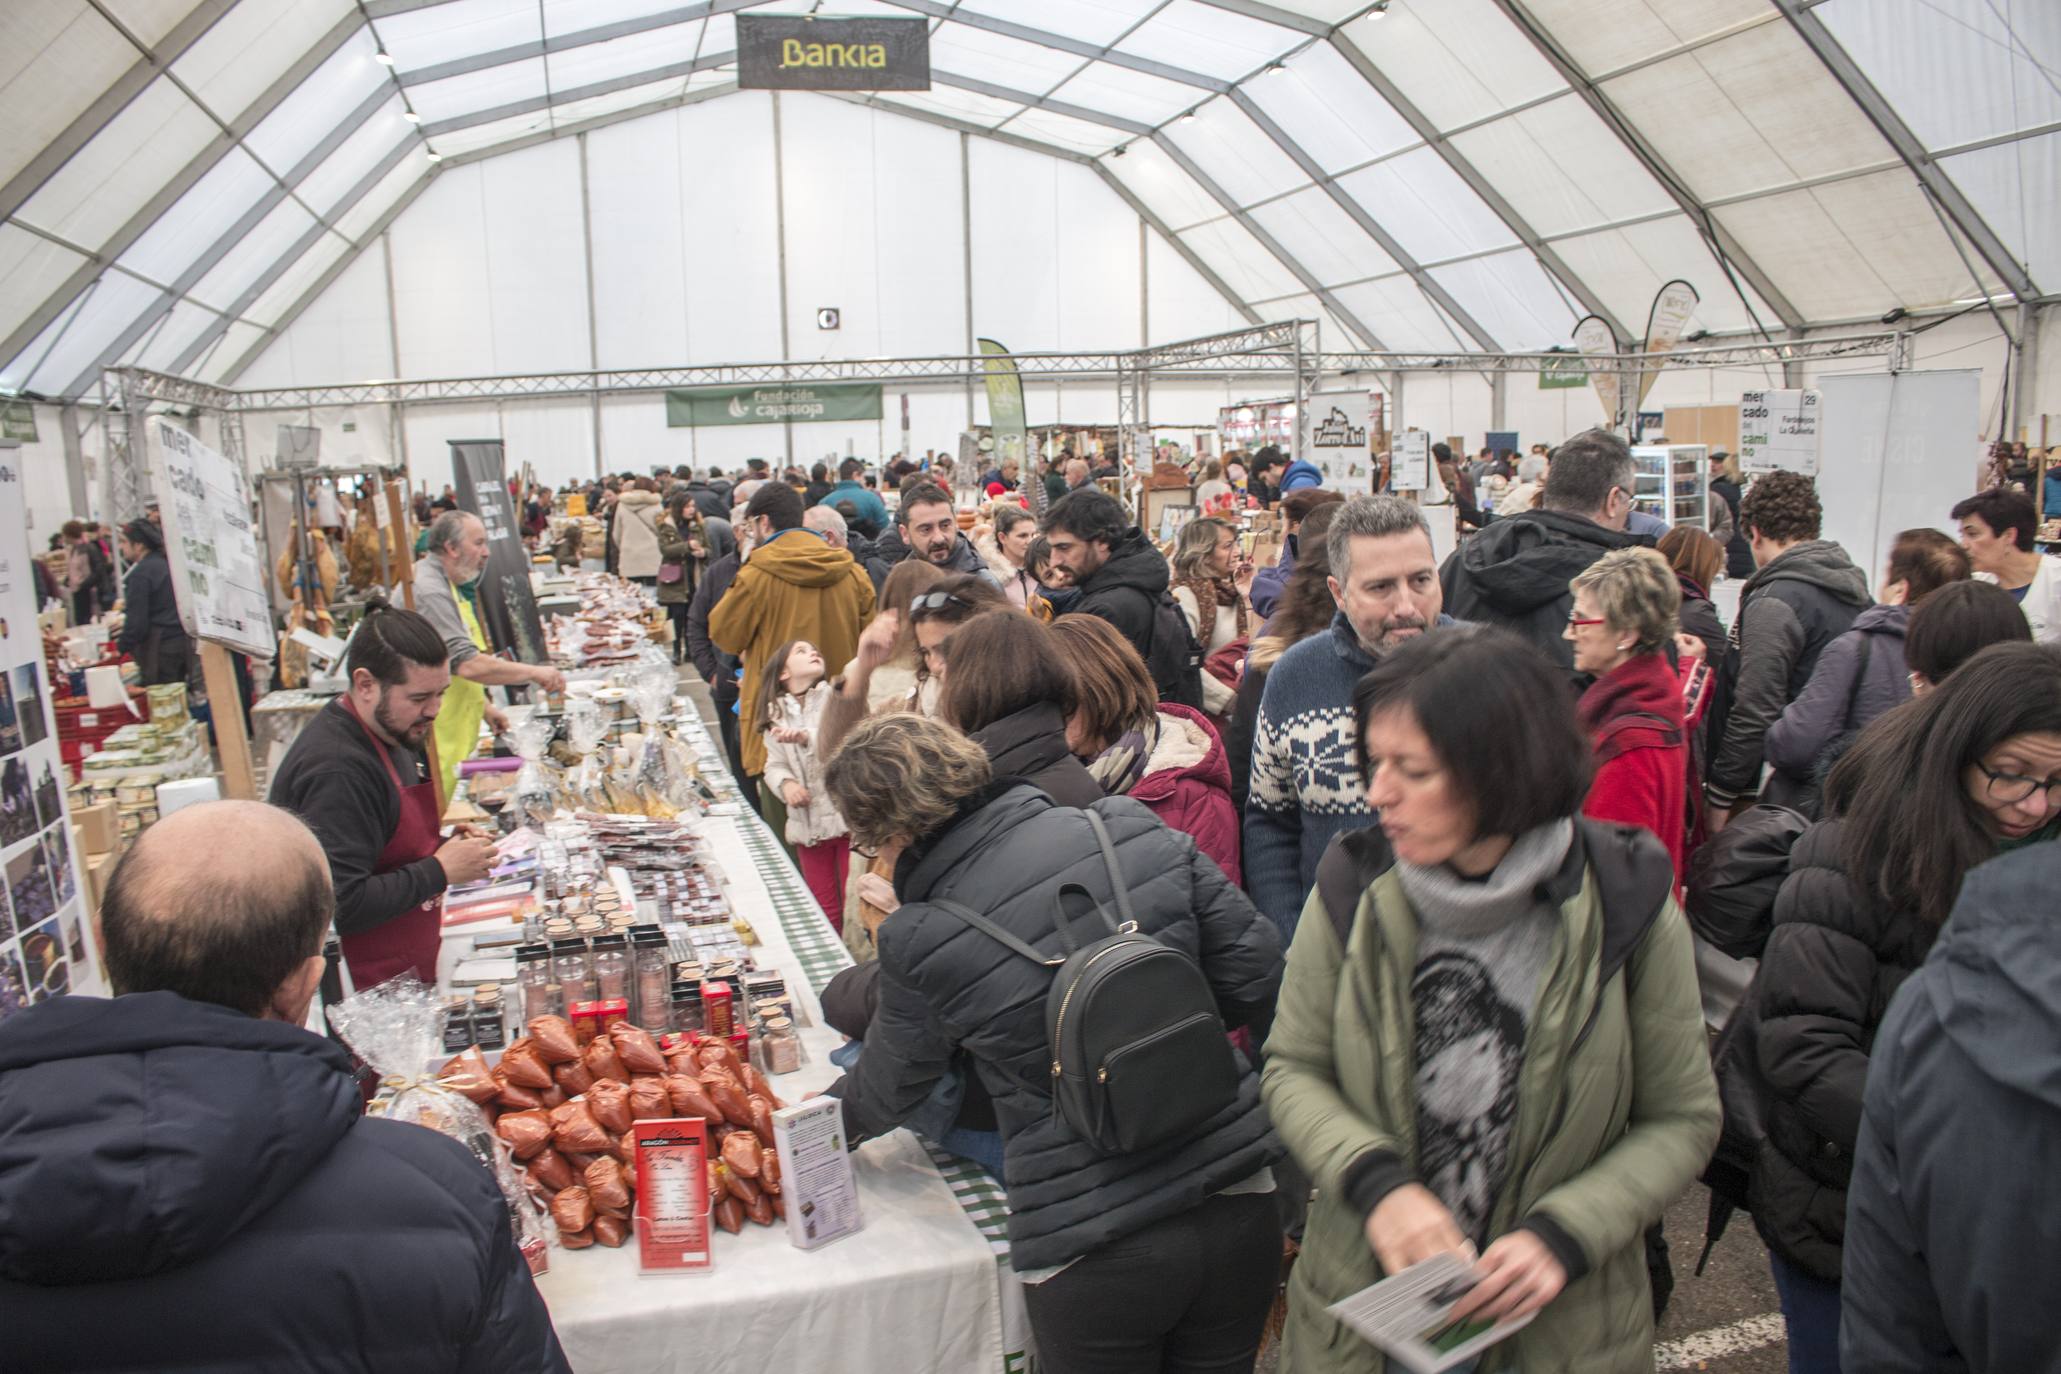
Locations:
1516 572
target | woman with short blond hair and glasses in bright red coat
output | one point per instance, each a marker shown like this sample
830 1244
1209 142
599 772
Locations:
1623 623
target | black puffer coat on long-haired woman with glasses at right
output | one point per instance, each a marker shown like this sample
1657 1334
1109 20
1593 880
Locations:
1825 984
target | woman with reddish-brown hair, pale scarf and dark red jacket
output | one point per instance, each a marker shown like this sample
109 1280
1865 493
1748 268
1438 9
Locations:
1163 755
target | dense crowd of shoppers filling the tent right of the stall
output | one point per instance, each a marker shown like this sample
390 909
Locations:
1524 891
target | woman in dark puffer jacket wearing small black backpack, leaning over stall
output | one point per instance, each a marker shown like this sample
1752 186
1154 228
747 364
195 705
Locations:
1141 1202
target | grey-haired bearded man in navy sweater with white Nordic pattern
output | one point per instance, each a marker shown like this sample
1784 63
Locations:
1306 771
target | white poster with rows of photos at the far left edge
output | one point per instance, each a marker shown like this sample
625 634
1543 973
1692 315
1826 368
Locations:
46 938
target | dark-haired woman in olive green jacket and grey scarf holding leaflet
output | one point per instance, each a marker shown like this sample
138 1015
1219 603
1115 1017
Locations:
1454 1056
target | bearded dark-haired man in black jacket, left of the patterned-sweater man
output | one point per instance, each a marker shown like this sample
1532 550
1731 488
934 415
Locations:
1122 578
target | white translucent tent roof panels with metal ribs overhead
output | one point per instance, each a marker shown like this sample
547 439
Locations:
180 178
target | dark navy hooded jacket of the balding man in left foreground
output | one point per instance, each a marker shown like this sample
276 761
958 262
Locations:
184 1188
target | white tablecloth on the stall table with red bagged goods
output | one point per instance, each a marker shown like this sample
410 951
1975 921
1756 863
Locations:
912 1293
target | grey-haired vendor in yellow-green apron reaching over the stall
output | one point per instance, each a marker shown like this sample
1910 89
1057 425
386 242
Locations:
446 586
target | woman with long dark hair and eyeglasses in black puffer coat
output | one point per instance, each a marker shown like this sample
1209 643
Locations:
1932 790
